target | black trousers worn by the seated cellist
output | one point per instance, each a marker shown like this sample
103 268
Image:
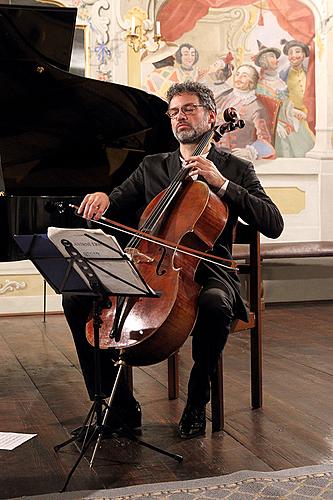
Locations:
217 303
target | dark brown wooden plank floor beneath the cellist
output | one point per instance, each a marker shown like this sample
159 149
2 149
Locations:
42 392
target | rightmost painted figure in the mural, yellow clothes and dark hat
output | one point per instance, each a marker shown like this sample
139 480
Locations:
297 138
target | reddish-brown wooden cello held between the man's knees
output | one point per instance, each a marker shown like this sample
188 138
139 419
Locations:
148 330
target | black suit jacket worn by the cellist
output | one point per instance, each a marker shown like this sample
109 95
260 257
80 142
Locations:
244 196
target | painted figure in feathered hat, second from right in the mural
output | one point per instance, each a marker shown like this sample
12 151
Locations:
271 89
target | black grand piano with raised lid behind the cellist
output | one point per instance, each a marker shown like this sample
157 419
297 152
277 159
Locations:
62 135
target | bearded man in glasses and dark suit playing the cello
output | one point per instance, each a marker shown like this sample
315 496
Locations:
192 111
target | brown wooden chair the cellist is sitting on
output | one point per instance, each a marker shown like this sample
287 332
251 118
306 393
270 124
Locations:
247 251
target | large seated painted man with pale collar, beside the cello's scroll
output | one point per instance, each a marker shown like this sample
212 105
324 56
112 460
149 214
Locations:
254 140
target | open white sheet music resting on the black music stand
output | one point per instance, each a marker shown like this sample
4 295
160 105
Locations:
102 251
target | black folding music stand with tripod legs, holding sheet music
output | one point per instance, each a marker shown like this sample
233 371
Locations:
77 274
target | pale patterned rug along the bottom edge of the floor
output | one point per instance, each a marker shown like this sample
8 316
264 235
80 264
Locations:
300 483
